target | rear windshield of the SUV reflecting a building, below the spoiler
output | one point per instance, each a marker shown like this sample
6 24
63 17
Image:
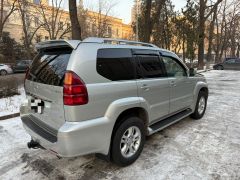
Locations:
49 66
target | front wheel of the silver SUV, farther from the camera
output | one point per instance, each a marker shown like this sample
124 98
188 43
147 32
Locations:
200 106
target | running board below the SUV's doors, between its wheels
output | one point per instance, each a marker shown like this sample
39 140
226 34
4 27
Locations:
168 121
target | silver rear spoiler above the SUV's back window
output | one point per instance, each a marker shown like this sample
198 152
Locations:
57 43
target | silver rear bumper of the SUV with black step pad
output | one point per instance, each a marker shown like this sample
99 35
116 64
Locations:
73 138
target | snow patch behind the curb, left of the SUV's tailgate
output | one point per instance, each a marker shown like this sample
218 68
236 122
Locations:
10 105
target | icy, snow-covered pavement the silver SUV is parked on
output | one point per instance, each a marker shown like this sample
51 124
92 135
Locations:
205 149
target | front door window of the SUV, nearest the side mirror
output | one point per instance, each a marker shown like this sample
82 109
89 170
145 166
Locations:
173 68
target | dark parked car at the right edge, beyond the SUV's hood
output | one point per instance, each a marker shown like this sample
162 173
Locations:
228 64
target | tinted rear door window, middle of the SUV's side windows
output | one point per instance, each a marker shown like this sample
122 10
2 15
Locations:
150 66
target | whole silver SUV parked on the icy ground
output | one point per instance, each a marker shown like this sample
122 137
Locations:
104 96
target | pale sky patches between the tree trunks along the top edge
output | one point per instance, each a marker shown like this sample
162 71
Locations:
122 9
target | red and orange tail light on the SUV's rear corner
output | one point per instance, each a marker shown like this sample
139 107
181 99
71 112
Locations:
74 90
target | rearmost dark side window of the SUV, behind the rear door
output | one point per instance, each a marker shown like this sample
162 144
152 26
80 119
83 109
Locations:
115 64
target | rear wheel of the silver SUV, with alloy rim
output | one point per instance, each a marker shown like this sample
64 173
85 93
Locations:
123 141
